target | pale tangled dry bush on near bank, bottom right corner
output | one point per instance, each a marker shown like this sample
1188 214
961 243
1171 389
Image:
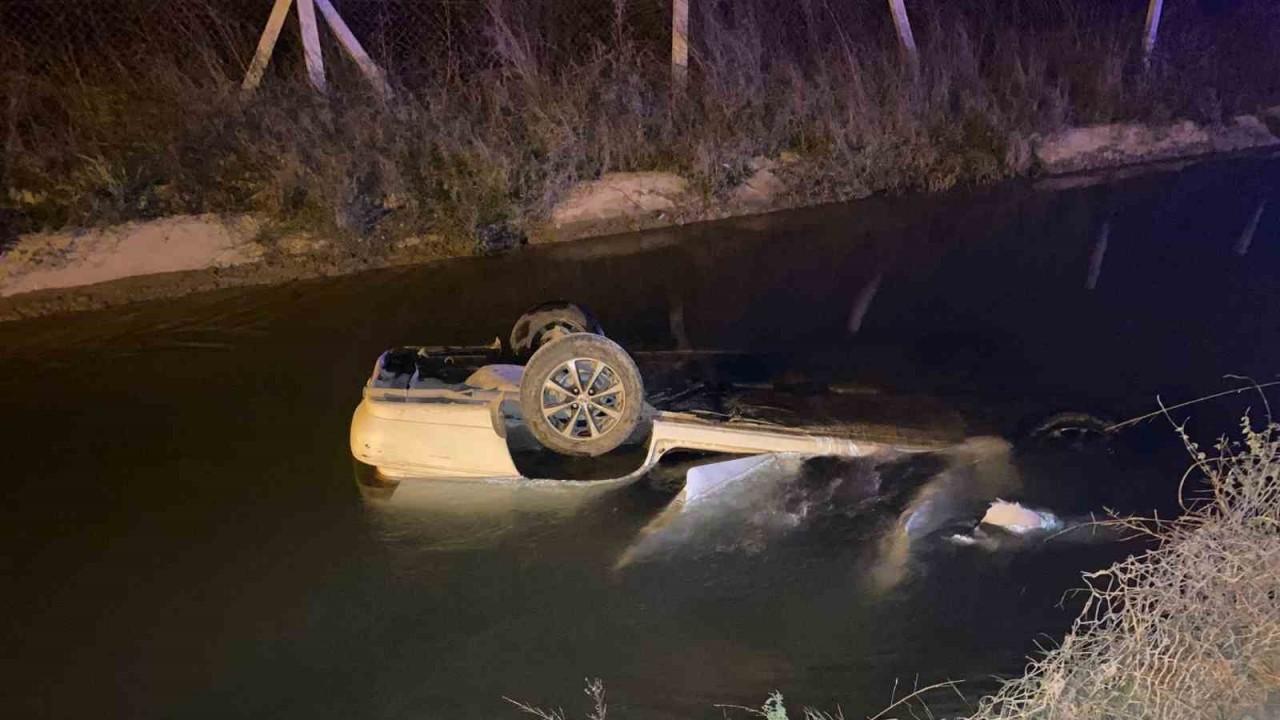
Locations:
1188 630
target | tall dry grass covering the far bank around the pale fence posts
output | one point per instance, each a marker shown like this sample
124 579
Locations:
492 126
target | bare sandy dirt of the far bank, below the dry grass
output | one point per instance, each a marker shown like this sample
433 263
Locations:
47 274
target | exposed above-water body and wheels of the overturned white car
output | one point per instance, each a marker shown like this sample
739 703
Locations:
458 413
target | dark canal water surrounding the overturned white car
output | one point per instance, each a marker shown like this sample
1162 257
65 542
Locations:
184 537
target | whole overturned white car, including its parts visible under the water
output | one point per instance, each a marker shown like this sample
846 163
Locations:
511 434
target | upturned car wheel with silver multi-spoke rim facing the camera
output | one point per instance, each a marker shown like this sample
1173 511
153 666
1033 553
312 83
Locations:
582 395
